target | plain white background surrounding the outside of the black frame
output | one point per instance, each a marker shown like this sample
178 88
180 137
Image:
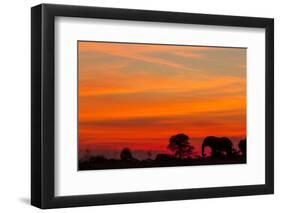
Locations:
15 105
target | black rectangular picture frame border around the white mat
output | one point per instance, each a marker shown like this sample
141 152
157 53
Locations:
43 102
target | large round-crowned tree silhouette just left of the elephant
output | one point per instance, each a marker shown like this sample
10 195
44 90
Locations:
180 145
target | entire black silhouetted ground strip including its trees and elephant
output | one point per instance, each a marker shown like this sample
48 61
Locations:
221 152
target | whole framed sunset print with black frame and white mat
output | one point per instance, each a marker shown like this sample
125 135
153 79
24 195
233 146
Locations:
140 106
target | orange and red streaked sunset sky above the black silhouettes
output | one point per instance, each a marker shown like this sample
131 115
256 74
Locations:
138 95
